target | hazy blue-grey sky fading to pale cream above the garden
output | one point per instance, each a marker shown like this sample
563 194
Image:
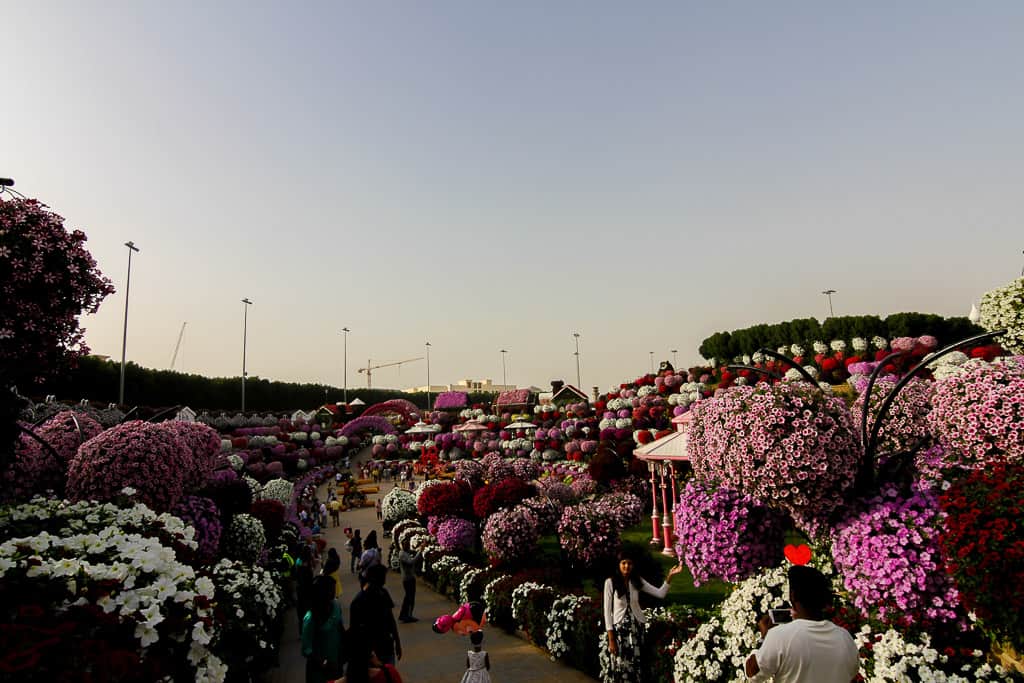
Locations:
489 176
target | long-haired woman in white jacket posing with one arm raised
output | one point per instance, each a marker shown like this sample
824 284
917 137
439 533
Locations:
624 620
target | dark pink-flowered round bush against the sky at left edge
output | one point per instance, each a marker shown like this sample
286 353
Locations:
48 280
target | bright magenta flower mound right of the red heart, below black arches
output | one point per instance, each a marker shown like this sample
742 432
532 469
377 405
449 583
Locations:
888 558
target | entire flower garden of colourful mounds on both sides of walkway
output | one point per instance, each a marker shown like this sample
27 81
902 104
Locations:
138 550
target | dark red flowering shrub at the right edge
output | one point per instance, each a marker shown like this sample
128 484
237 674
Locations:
983 545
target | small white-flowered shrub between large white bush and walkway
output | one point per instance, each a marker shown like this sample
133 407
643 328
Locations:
250 600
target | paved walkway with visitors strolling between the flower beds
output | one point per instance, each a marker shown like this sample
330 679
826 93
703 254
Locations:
428 658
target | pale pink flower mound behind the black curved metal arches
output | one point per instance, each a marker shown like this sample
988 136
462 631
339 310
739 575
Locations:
906 426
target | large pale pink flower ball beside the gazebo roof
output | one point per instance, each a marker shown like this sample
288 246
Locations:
787 444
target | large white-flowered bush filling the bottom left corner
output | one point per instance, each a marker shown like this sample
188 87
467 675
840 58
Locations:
109 581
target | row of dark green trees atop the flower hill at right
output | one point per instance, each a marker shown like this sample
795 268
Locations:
805 331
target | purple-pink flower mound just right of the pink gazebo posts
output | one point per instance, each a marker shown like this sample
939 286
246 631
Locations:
722 534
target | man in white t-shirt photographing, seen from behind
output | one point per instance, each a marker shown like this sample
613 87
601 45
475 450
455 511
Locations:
809 650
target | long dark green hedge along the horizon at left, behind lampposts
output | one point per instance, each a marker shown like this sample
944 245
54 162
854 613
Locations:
98 380
